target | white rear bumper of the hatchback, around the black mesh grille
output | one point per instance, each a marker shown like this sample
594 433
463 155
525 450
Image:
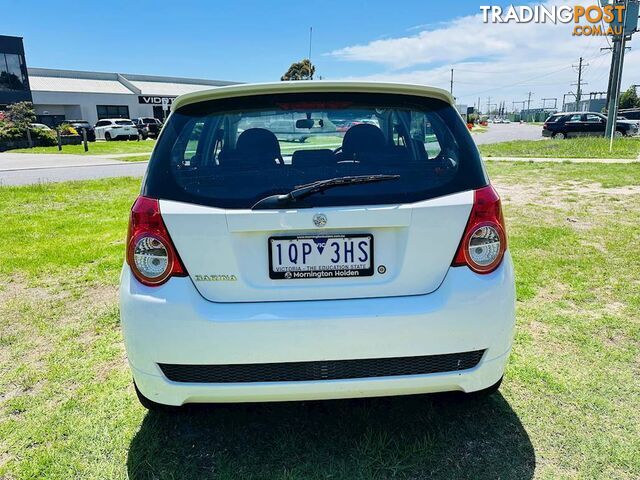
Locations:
174 324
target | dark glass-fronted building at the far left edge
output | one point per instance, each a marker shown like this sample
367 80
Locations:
14 78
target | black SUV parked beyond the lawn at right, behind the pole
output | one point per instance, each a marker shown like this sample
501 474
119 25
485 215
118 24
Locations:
583 124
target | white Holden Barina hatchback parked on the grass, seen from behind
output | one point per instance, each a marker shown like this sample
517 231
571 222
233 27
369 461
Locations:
368 263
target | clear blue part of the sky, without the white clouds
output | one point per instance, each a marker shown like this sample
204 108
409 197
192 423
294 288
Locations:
236 40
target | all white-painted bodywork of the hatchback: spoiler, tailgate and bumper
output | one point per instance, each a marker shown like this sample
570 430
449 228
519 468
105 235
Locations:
419 306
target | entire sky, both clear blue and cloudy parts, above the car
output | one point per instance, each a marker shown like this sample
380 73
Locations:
412 41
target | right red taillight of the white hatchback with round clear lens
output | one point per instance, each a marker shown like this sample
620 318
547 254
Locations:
484 241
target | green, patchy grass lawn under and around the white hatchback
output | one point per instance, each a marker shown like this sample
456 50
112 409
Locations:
569 406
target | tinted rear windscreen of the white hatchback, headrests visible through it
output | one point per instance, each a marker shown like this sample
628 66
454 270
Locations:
232 153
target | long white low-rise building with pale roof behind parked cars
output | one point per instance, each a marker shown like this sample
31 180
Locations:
60 95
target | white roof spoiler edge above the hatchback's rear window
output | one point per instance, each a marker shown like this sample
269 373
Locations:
310 86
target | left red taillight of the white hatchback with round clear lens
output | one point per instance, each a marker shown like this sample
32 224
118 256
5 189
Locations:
150 251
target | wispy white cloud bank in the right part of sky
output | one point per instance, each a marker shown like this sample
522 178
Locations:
504 61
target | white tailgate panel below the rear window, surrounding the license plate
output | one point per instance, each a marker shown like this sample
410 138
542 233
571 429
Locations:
414 242
